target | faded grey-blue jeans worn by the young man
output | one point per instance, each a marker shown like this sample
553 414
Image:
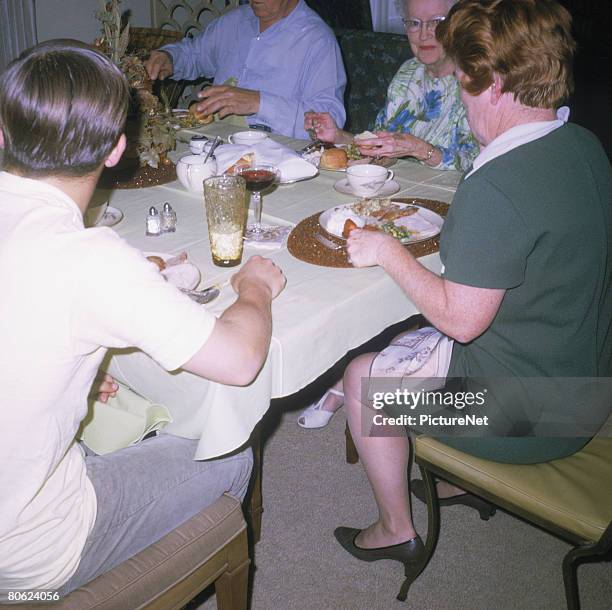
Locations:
147 490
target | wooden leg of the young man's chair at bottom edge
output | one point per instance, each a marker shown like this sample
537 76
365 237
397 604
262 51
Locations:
232 587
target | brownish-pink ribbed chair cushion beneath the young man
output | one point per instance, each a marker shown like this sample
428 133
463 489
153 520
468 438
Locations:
139 581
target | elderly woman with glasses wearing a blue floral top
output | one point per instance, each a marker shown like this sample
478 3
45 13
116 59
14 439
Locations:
423 116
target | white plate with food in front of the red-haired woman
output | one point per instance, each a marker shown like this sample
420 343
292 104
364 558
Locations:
408 222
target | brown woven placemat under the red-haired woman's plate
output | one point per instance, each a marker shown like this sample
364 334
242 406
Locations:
303 245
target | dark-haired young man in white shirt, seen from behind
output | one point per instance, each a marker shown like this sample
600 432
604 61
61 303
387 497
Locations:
69 294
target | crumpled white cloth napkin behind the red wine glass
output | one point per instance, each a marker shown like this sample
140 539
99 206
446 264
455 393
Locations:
291 165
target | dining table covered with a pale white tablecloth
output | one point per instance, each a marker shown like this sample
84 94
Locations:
322 313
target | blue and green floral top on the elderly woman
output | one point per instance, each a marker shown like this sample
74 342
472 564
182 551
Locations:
431 109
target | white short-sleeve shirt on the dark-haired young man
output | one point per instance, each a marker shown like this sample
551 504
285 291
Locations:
67 294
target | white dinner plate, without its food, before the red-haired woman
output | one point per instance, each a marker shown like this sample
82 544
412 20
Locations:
425 223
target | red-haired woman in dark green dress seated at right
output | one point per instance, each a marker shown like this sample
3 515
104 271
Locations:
526 288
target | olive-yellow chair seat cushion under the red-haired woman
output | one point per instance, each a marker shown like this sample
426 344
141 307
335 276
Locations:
573 493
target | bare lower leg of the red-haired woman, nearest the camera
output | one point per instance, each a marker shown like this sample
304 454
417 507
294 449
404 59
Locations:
385 460
